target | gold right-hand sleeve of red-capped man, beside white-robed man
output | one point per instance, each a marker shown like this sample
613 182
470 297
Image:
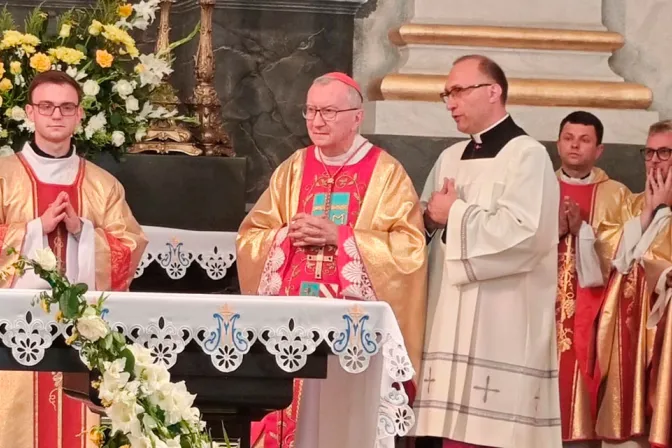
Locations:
391 241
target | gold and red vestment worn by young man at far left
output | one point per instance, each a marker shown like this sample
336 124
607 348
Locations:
34 411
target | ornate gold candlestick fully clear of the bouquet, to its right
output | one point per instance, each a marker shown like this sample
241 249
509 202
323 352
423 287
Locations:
212 136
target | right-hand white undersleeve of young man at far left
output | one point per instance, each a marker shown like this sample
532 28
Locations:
81 256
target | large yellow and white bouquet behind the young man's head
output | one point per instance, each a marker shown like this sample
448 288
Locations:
95 47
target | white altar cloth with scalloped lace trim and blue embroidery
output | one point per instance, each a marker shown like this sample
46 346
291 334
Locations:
226 326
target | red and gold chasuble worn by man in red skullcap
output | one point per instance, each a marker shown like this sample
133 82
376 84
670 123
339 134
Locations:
380 253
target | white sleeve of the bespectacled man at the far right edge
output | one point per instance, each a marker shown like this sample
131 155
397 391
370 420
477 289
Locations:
634 243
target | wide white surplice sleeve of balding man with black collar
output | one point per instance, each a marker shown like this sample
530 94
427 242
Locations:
516 233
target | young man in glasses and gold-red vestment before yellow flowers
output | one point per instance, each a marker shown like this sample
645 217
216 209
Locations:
51 197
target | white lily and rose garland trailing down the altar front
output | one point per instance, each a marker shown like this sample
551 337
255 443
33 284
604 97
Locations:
145 408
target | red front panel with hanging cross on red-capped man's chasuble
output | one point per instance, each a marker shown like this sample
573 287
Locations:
336 194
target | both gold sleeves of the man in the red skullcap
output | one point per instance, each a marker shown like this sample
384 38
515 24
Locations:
388 240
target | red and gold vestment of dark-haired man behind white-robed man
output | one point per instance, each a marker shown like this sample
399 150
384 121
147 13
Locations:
577 308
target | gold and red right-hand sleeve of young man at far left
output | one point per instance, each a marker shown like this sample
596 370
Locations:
119 239
